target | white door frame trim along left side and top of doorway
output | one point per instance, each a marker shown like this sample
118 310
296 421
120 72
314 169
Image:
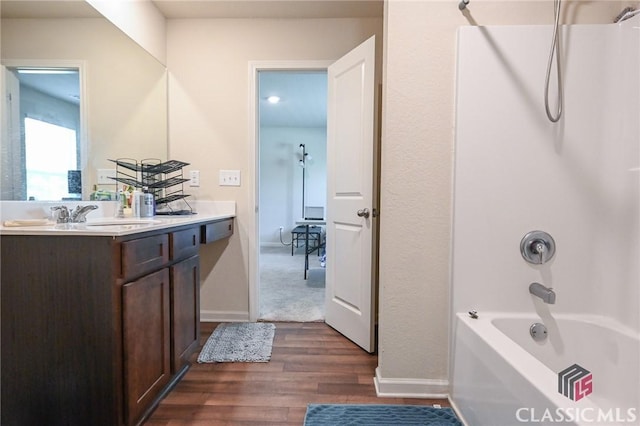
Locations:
254 167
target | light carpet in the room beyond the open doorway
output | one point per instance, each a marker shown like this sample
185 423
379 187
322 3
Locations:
284 293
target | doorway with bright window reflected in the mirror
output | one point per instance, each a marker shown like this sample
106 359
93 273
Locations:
43 132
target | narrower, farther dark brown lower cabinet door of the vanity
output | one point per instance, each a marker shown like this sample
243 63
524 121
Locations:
185 311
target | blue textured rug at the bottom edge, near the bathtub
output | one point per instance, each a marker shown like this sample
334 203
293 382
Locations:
379 415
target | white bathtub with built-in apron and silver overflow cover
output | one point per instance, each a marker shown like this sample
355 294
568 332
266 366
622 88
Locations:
502 377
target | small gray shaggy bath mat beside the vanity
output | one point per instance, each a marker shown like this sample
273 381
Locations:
239 342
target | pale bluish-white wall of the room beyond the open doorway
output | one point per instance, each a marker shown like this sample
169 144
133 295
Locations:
281 178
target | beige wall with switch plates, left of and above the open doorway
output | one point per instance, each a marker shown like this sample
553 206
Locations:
209 67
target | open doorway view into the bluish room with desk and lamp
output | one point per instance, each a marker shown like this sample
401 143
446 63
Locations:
292 178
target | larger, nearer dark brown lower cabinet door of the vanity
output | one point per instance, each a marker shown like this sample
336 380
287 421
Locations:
146 341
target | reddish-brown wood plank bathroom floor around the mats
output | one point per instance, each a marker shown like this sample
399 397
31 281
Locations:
310 363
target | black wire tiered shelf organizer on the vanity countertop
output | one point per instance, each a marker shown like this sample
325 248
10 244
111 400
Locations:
165 180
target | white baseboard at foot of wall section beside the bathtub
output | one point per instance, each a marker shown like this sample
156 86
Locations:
411 388
